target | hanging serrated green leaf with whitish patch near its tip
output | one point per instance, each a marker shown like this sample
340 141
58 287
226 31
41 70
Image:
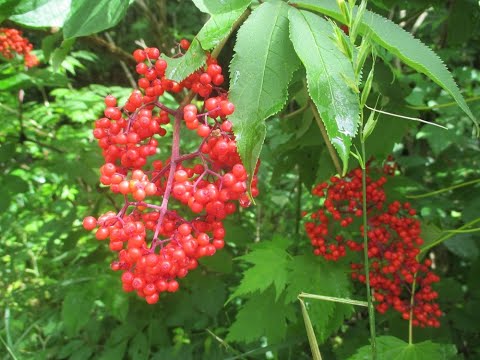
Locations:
326 68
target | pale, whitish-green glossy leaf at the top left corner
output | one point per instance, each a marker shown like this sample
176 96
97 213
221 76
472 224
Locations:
41 13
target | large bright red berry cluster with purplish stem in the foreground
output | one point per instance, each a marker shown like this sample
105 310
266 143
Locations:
189 195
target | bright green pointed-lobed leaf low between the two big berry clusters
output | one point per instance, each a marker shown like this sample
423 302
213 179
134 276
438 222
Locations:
270 261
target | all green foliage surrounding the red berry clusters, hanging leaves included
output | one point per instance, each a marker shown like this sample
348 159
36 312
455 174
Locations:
59 299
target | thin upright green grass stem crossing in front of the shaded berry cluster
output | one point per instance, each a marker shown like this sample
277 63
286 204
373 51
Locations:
371 310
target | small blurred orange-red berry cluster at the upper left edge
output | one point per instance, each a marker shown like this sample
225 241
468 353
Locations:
12 42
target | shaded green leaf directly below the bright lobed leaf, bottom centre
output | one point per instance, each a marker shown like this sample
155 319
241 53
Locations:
260 316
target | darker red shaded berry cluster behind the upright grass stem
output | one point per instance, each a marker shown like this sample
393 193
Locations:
394 238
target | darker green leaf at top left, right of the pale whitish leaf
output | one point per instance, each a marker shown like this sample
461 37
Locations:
89 17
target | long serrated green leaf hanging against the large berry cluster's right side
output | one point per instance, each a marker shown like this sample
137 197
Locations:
260 71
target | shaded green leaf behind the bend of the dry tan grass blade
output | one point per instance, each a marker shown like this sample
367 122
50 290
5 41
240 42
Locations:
310 274
